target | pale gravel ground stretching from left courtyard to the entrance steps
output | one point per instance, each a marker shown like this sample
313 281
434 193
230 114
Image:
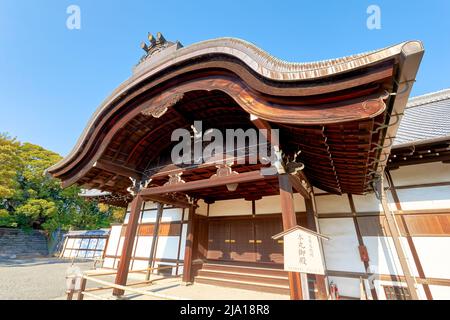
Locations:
44 279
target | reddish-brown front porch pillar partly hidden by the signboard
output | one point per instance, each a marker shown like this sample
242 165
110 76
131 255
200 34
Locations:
289 221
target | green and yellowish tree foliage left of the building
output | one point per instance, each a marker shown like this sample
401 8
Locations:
30 199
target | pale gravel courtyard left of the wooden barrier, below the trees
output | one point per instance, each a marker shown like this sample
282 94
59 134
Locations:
35 279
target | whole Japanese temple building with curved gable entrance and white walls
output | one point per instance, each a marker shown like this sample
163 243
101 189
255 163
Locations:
354 161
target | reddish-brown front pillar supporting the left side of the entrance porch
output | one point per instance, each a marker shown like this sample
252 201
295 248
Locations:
130 234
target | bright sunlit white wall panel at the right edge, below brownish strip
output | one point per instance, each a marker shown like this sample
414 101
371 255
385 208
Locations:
434 255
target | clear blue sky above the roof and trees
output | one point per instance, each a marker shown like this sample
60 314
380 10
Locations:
52 78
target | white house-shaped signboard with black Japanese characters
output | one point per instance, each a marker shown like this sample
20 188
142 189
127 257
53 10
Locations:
302 251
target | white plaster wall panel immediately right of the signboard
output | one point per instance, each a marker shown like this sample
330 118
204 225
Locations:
341 251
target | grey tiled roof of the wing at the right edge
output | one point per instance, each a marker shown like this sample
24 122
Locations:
426 117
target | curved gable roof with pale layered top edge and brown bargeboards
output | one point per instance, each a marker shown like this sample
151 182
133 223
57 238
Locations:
350 93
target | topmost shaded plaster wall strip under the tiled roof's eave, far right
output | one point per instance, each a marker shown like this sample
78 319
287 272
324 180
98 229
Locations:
421 174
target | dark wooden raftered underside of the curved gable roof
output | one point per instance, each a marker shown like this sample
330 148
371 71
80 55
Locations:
337 157
